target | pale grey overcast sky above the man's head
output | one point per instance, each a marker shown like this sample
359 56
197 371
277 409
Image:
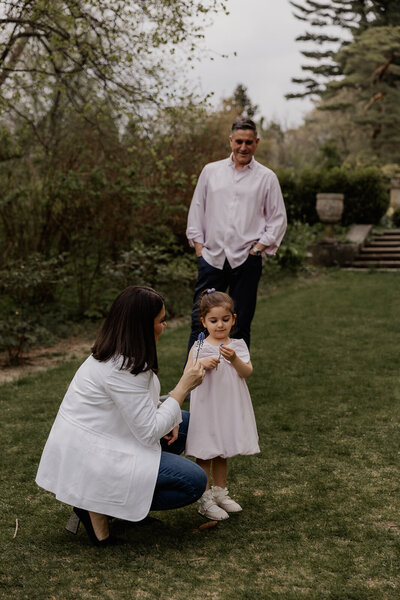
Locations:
262 32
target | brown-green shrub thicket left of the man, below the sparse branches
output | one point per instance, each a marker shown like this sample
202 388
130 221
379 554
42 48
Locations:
103 211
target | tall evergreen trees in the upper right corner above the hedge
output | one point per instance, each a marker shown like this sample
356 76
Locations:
353 69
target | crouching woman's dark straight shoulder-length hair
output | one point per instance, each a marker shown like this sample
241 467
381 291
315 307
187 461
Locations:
128 330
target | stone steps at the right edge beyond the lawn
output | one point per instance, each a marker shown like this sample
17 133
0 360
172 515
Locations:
381 251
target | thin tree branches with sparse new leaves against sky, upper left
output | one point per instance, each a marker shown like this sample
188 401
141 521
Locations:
71 53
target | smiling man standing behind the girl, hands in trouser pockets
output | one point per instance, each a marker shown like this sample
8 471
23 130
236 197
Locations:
237 214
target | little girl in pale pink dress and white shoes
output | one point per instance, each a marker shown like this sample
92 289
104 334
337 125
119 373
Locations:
222 422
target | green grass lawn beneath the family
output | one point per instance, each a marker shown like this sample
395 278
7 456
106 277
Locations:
321 502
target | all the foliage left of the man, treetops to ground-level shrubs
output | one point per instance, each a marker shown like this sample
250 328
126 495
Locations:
94 161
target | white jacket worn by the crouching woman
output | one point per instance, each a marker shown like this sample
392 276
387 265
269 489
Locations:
103 451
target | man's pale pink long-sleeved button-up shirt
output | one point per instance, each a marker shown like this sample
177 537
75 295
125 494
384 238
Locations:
232 210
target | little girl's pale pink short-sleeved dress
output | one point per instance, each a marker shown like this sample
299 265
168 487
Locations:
222 419
